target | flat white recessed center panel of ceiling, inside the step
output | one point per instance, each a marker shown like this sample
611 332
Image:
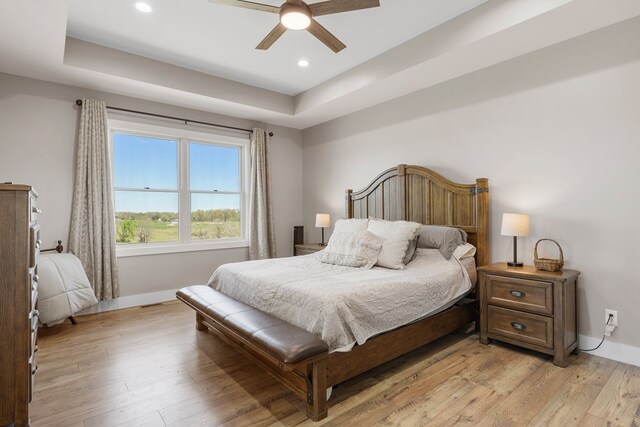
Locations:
220 40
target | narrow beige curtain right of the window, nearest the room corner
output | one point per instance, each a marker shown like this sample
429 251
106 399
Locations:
262 242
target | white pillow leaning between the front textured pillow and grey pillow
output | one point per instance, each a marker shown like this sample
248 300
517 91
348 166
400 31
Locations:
397 235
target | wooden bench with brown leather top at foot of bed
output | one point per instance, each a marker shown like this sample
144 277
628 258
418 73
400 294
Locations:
293 355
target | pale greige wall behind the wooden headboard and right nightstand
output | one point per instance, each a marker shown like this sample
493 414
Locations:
557 134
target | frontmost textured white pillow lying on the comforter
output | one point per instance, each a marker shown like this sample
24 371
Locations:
359 249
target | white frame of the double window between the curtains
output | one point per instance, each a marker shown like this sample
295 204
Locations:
184 138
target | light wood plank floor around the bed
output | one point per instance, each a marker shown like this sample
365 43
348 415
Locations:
150 367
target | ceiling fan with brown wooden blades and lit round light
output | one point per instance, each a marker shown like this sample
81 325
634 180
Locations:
298 15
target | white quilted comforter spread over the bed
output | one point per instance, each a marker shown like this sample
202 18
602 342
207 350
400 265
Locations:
345 305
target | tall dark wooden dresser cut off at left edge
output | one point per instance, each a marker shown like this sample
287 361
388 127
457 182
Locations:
19 249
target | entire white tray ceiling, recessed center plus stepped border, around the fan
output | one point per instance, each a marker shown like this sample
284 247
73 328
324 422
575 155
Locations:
194 54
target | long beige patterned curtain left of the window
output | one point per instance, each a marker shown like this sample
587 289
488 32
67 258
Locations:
92 235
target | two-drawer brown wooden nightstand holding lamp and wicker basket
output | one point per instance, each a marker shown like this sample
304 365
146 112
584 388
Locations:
529 308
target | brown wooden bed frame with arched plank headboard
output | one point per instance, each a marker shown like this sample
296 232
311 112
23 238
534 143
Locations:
405 192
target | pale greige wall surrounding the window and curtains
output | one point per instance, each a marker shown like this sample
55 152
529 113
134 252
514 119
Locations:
37 143
